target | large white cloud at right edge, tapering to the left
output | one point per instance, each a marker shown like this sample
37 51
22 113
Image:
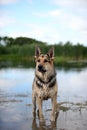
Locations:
65 18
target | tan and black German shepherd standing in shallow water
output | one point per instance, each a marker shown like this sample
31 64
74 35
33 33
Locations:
45 83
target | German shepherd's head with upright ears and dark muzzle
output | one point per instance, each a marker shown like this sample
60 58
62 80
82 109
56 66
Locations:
44 62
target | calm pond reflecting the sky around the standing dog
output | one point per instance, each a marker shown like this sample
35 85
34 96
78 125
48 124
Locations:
16 103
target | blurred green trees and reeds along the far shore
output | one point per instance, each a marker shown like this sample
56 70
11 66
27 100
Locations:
20 50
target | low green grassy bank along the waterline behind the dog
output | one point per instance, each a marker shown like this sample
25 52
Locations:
26 61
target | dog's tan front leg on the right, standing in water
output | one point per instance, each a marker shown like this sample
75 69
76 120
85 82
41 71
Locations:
54 107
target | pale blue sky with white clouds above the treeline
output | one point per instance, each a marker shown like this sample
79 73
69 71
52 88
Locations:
49 21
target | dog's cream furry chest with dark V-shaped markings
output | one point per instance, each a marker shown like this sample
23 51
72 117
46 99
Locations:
45 88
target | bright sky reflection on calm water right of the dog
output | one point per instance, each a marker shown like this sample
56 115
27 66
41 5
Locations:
72 85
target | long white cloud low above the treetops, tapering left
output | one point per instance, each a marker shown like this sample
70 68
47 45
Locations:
40 32
